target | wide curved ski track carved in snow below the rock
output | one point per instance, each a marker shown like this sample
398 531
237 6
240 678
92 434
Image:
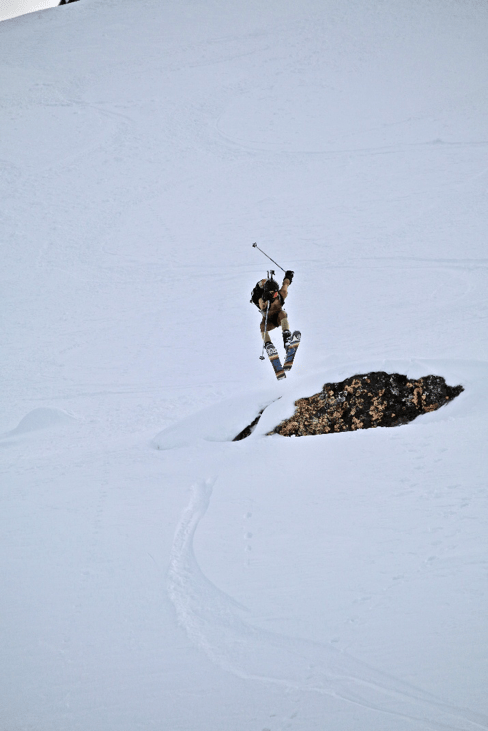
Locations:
212 621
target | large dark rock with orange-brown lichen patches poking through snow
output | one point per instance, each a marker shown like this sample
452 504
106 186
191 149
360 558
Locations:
365 402
